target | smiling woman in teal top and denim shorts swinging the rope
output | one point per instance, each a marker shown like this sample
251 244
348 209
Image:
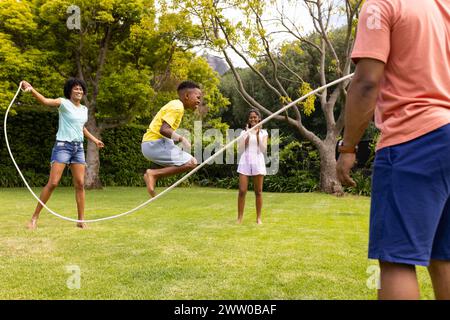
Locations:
68 148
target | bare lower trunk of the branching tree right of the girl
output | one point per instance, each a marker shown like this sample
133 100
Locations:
328 178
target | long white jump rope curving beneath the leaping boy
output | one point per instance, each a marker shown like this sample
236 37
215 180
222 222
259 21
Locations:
177 182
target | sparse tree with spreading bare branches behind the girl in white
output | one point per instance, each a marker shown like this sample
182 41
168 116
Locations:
250 40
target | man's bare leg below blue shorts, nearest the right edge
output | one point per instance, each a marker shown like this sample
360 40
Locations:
440 276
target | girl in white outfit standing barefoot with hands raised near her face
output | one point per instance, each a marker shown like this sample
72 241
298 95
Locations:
252 148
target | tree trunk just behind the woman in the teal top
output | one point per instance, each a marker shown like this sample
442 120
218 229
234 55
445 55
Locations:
92 179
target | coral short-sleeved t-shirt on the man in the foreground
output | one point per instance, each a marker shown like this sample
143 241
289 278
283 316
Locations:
412 37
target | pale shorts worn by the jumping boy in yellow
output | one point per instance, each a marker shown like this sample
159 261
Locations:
165 153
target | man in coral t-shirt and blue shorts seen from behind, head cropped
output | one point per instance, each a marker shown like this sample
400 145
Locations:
402 56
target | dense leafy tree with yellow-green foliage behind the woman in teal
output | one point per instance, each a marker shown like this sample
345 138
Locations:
129 56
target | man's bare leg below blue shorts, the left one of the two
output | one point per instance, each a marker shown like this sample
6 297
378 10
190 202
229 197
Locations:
398 282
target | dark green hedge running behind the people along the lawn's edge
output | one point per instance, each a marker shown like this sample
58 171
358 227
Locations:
32 135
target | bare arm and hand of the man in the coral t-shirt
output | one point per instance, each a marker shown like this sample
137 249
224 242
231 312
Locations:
359 109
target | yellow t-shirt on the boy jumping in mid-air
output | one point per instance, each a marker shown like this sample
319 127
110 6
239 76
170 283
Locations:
172 113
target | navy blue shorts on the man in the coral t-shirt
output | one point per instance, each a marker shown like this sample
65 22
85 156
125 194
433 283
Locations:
410 210
